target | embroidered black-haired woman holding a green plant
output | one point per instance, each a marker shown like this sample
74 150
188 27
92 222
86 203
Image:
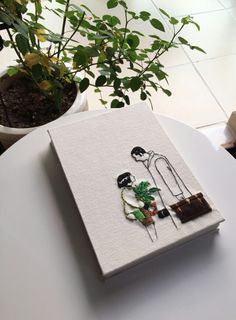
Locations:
138 201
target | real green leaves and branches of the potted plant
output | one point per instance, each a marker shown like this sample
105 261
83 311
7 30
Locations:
89 43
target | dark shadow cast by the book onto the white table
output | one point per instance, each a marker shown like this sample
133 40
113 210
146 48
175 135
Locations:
139 282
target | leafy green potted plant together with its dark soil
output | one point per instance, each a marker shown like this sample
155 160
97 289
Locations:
90 50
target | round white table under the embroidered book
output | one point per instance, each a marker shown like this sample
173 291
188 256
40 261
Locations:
48 270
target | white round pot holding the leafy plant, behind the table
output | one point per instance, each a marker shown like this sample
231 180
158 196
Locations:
9 135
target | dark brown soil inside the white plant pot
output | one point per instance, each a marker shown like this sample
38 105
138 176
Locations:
27 107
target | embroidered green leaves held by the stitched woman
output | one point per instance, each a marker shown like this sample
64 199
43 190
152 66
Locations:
144 193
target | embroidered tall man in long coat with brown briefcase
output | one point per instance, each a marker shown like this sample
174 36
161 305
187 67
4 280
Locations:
163 174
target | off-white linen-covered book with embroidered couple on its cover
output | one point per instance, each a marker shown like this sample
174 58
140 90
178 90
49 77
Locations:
134 192
